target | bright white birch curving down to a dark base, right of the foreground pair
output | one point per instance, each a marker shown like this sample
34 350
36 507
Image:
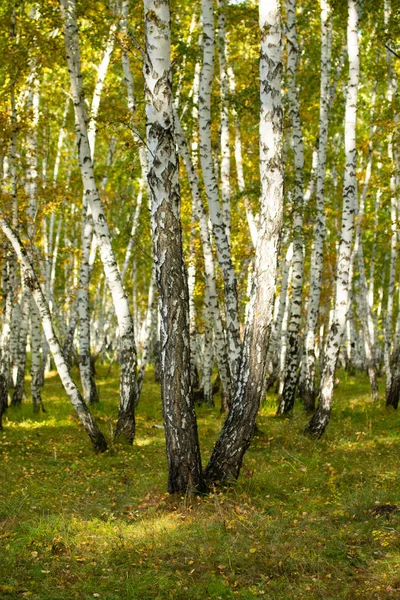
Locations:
320 419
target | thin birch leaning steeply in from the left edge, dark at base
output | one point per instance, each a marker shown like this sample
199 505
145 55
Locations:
31 283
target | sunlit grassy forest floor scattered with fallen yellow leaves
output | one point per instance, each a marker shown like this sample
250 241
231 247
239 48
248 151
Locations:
306 519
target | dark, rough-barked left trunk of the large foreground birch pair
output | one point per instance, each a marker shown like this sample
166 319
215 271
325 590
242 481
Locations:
183 452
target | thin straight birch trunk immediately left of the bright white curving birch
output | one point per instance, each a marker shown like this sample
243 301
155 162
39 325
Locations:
307 377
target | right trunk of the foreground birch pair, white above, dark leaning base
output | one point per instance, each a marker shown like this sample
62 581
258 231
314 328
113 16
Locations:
239 427
